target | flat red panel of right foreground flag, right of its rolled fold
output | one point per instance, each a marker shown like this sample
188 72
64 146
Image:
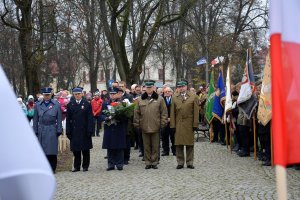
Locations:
291 75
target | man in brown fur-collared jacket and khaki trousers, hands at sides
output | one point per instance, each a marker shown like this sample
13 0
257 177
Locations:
150 116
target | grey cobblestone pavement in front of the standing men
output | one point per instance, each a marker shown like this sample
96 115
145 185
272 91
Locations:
218 174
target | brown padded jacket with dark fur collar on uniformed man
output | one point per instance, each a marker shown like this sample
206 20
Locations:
150 114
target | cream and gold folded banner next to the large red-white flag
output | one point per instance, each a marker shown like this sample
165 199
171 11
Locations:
264 113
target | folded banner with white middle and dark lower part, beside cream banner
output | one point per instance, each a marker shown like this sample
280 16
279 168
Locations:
247 99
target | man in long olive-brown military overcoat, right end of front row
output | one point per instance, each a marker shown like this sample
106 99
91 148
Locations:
185 120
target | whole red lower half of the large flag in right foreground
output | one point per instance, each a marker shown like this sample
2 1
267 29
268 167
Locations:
286 101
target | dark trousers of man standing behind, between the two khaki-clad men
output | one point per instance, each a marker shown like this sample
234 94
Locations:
167 135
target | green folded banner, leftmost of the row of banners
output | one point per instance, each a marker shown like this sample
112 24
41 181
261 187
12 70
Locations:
210 99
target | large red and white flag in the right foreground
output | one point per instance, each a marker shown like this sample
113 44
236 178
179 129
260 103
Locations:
285 52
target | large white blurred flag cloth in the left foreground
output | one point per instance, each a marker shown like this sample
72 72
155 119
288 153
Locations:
24 171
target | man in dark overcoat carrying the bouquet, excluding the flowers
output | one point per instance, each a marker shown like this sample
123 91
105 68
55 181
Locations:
114 138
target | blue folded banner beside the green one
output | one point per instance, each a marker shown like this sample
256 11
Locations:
218 109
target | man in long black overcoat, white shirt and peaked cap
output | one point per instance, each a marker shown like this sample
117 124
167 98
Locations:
79 129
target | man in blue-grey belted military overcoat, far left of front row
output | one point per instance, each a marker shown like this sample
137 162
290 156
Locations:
47 125
